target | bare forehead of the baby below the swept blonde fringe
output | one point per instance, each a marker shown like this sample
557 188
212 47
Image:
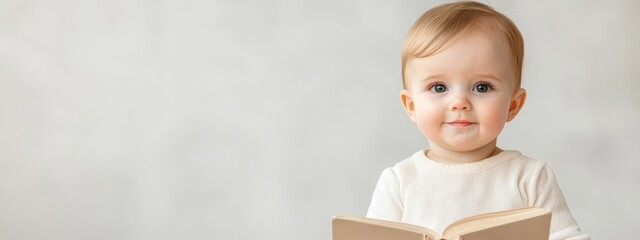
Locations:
476 52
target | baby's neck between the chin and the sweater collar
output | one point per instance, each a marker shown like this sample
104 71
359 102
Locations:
444 155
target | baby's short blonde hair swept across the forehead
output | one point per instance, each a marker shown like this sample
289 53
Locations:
438 26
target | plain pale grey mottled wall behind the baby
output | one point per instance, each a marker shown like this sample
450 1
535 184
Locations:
202 119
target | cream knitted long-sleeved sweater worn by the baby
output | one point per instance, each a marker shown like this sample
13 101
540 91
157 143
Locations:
424 192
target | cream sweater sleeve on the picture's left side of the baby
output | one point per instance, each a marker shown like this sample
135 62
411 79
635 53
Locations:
385 202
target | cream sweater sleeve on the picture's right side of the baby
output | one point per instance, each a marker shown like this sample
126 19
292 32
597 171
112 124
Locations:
549 196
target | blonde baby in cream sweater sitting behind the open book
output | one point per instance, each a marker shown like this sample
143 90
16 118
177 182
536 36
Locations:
461 69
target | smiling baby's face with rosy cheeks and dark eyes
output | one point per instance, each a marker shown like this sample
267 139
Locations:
462 95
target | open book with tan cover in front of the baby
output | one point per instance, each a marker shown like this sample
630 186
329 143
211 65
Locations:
530 223
